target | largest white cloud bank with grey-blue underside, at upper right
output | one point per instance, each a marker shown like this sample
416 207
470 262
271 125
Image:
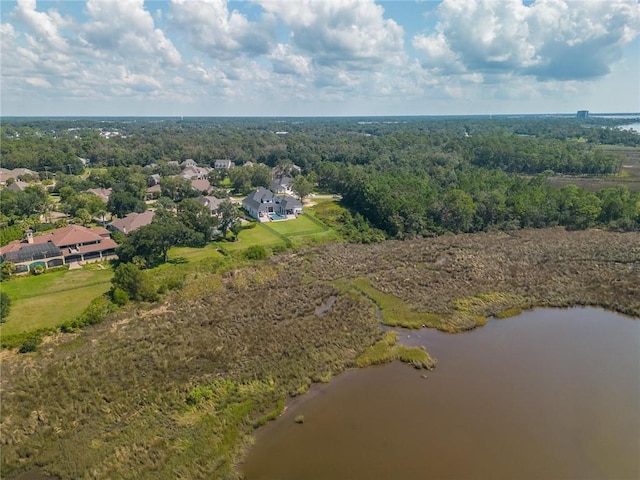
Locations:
550 39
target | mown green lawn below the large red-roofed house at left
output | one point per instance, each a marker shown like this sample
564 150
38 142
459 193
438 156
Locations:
52 298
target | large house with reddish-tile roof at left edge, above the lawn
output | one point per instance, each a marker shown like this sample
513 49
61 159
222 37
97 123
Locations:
63 246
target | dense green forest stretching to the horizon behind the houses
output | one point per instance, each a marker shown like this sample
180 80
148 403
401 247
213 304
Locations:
400 177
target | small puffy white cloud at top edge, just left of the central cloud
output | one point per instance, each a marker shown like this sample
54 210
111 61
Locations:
221 34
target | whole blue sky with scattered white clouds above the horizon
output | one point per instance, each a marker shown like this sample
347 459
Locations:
318 57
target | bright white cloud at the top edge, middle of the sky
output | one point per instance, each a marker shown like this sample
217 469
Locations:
352 32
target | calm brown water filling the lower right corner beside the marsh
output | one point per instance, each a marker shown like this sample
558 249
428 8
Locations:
550 394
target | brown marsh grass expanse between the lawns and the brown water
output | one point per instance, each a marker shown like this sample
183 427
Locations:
174 390
